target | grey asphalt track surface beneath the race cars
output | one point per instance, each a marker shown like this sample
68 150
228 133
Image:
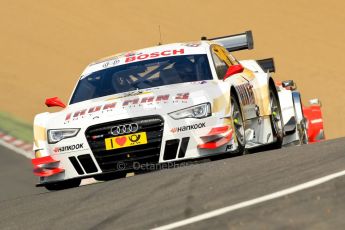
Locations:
166 196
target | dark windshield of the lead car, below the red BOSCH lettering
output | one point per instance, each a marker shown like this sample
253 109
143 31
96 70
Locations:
142 75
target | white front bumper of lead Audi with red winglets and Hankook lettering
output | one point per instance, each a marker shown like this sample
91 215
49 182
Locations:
168 140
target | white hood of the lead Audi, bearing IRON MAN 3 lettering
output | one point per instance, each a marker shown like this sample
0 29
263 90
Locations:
161 101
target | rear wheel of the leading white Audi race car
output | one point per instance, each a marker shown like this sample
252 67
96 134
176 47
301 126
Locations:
276 117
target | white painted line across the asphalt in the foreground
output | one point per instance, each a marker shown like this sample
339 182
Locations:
221 211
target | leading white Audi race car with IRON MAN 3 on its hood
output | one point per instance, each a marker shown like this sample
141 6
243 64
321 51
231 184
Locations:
162 104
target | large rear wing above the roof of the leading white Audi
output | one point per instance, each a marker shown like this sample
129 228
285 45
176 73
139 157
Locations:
235 42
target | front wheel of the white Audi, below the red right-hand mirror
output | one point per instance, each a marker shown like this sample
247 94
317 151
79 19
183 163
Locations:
238 123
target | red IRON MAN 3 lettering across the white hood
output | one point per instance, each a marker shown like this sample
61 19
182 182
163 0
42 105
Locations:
180 97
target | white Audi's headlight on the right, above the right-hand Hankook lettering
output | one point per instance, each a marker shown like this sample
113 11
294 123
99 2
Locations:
198 111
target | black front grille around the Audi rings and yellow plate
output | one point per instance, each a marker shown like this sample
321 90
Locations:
126 158
